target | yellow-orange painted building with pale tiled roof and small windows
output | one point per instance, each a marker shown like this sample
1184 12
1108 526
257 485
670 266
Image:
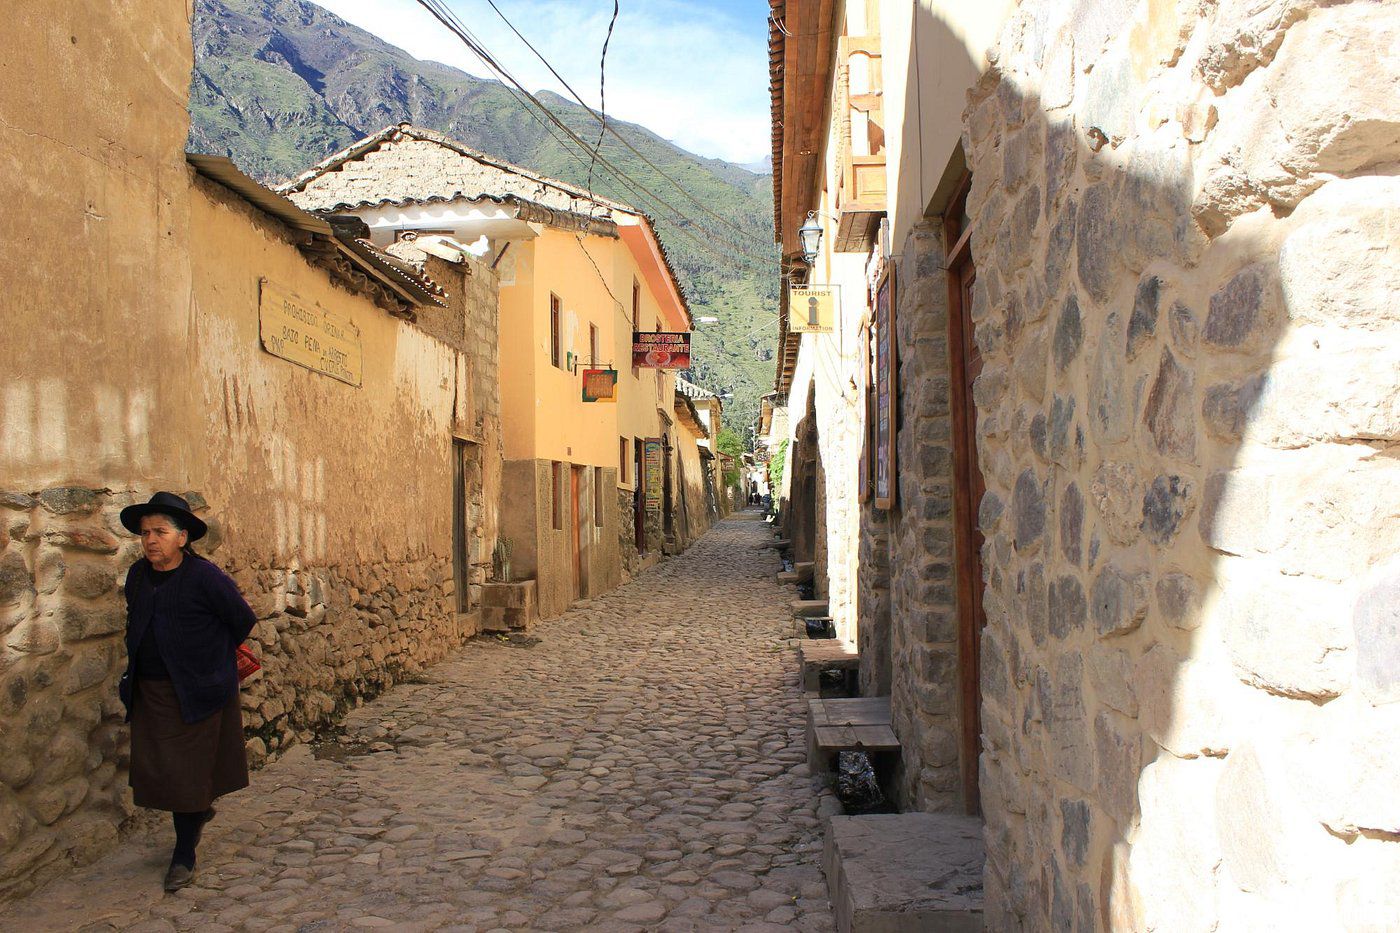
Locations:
579 274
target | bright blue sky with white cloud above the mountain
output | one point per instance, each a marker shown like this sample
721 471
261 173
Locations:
691 71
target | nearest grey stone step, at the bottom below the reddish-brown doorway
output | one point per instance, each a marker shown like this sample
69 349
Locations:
905 873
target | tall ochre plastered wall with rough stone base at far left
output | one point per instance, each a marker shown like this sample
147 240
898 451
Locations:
96 282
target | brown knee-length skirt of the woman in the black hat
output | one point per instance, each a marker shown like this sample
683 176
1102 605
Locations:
184 767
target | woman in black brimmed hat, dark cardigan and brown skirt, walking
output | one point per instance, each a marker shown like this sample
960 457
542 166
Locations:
184 624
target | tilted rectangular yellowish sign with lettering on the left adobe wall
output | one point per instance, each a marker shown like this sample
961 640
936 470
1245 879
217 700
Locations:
309 336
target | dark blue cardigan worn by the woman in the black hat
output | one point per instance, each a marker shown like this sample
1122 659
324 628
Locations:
199 620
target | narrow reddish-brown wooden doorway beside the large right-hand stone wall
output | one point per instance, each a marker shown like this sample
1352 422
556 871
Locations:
969 488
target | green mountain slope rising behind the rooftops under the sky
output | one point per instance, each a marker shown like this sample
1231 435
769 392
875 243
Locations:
279 85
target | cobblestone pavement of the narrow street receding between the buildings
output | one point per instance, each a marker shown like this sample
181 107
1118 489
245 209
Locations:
640 768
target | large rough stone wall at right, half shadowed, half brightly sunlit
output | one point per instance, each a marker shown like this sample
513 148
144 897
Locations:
1188 268
